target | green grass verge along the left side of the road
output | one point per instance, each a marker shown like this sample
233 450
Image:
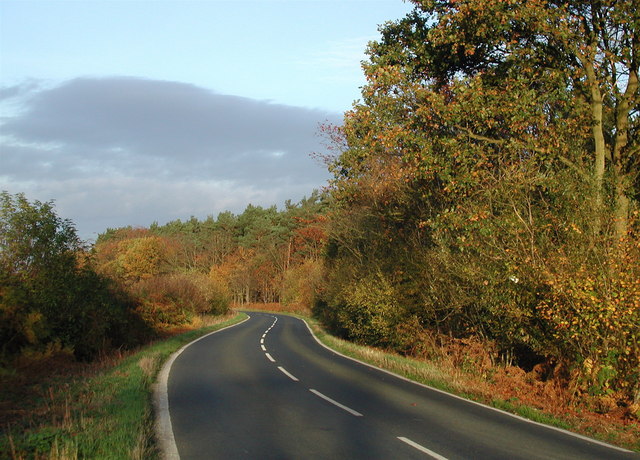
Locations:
103 414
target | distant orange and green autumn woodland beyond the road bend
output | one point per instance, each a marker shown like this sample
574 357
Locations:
203 266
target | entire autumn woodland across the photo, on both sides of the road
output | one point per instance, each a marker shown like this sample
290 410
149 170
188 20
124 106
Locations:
486 186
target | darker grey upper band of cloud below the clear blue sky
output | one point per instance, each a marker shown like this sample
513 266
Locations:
196 132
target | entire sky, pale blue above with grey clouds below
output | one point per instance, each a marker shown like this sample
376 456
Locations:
133 112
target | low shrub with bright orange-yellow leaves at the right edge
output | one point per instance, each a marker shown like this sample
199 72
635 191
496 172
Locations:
597 313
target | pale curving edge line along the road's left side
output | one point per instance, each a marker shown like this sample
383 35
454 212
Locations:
163 428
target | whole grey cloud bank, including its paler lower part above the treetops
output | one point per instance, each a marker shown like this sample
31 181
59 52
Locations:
118 151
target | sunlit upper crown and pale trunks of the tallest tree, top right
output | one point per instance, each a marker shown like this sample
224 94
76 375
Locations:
570 65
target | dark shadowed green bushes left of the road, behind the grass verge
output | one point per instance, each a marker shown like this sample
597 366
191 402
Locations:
50 296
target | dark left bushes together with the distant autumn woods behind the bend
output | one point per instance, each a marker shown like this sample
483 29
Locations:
57 295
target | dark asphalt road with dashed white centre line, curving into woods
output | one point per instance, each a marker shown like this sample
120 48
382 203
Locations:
265 389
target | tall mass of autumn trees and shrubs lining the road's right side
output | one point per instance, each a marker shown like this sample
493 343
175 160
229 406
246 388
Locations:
487 186
